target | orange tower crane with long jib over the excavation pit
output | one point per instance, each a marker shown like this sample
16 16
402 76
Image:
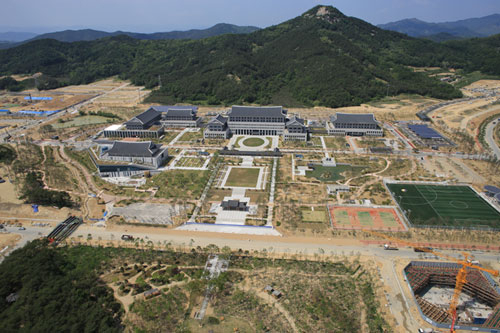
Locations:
461 276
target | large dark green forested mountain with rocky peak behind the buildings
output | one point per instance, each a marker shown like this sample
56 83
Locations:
319 58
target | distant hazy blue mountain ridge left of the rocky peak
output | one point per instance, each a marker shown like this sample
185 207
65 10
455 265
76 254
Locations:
89 34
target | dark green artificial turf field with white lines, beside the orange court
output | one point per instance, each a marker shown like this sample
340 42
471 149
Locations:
444 205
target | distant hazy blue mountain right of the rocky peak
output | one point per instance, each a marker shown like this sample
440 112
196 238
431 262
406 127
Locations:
475 27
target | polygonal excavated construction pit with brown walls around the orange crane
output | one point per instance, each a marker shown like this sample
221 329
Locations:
432 284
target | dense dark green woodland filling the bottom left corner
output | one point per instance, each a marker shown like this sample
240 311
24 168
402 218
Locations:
46 289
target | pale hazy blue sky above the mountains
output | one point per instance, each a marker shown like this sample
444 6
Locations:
165 15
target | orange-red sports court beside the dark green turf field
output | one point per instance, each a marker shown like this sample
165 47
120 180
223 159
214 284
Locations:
347 217
